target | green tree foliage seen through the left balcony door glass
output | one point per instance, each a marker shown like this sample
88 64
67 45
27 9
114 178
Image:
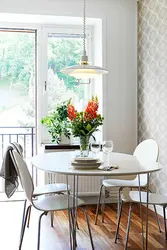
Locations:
17 56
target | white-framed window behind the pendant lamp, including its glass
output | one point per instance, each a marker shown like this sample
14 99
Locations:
63 48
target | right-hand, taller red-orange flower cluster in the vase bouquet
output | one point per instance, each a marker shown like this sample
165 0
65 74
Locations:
91 109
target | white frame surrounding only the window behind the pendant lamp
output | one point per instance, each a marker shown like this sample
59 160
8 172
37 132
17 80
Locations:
42 90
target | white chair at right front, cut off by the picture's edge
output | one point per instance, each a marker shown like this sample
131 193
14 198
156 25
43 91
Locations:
134 197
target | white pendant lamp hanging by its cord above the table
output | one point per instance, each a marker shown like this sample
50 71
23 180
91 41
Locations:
84 70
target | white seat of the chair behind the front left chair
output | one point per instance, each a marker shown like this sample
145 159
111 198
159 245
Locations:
50 189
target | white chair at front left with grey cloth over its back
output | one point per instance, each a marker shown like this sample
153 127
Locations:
45 204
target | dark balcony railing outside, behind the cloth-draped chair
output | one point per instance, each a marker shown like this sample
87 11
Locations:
23 135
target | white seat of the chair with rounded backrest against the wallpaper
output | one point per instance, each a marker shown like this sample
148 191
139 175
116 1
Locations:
123 183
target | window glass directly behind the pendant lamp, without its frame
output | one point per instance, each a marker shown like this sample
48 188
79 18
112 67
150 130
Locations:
64 51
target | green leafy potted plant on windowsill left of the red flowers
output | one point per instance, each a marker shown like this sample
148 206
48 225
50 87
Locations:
57 123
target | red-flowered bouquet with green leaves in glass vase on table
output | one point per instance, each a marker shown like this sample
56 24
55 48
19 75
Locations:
85 123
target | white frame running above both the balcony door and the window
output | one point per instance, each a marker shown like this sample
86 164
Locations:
41 68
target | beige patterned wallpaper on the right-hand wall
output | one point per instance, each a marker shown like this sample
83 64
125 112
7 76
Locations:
152 81
